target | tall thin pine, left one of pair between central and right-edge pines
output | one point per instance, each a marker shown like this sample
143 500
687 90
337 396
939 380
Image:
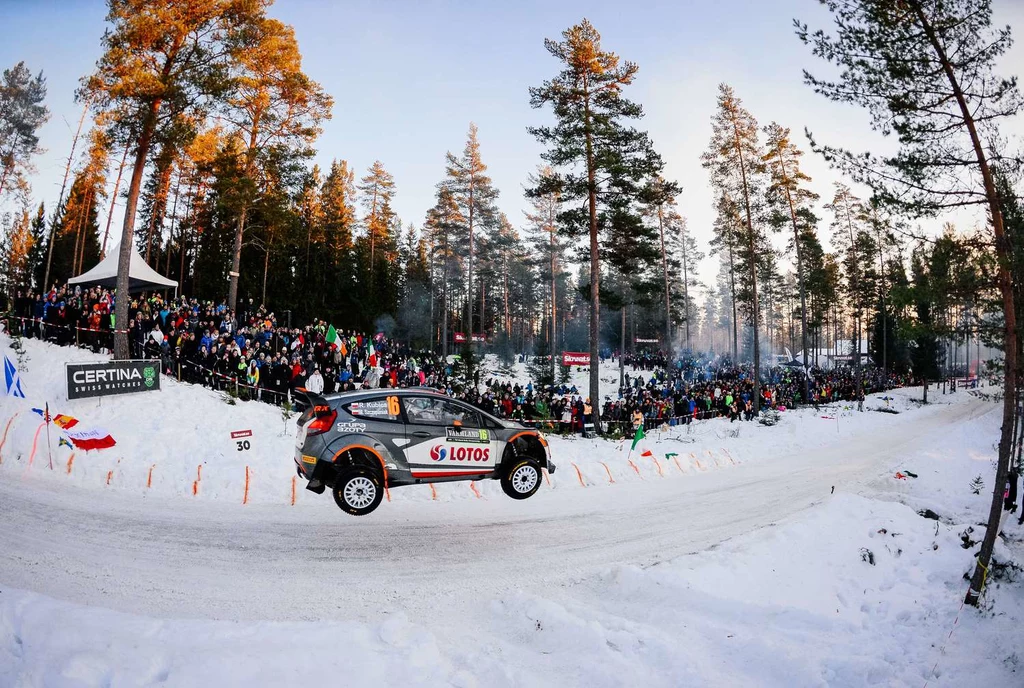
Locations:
735 160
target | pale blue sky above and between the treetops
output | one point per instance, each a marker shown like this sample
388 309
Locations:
409 77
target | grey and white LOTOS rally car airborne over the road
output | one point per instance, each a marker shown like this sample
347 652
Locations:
360 444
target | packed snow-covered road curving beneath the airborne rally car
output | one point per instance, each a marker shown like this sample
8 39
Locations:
181 558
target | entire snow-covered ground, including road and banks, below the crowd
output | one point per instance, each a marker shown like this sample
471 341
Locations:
738 566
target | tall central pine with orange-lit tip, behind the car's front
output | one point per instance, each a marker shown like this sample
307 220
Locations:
590 147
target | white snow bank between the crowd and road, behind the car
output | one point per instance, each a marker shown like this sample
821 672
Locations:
177 443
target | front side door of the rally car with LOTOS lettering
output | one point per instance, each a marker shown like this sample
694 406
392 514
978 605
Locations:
447 439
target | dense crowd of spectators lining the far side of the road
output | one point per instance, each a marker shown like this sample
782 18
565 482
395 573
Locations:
250 354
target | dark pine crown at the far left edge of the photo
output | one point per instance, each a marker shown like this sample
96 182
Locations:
22 114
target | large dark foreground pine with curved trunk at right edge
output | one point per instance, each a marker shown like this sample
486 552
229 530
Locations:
925 71
